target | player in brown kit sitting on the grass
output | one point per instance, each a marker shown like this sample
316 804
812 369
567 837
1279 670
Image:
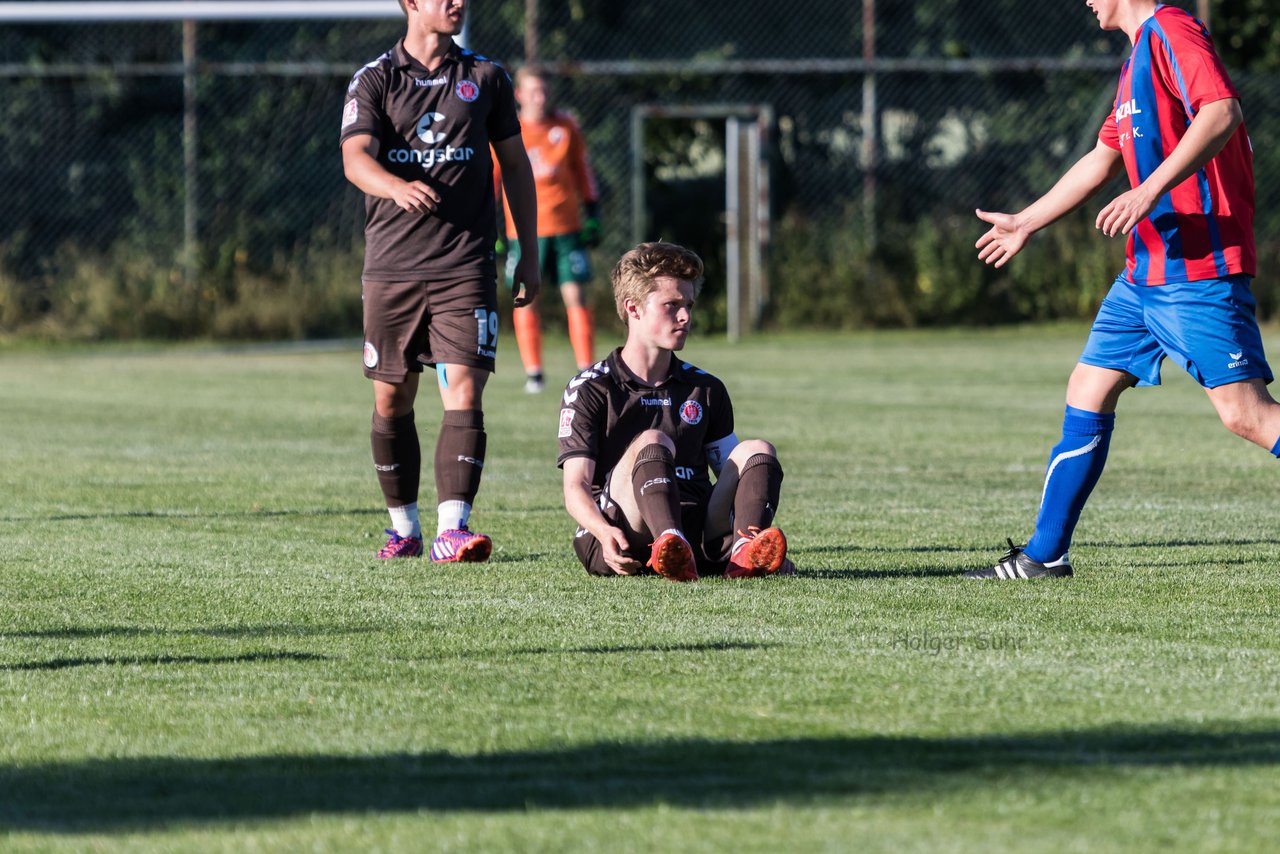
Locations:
641 431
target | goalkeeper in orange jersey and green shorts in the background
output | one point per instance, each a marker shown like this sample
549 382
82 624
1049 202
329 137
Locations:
566 190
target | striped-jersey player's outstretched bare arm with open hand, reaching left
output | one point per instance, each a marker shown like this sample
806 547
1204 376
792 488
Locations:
1011 232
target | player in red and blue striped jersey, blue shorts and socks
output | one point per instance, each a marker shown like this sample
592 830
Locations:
1178 131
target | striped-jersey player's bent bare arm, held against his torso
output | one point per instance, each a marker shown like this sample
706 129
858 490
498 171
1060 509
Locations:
1208 134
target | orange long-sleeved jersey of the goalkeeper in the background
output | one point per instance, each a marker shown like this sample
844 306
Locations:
563 175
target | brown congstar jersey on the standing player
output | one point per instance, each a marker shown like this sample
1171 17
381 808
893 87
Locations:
433 126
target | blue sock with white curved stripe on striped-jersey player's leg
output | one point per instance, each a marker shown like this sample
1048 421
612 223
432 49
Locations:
1075 469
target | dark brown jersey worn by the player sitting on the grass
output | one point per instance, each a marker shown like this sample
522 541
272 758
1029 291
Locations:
607 407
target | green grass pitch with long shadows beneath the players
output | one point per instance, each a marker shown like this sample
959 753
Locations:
199 652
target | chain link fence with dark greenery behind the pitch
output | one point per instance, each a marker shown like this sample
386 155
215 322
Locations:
892 122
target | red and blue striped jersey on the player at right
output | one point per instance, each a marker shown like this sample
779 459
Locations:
1204 227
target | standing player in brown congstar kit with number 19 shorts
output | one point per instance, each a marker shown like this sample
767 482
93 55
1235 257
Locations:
417 134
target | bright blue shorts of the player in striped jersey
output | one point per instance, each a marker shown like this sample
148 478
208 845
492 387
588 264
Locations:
1208 327
